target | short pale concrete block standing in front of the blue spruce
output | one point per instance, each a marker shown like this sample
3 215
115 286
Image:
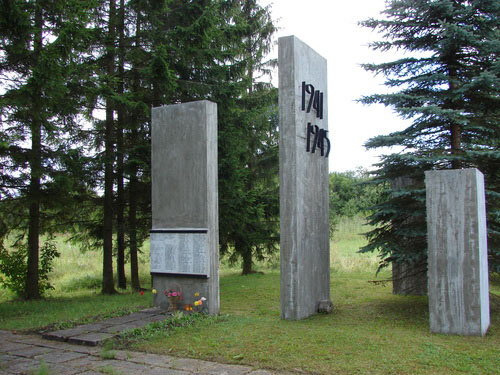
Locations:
457 259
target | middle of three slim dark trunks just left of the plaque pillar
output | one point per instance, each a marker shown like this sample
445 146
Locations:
120 221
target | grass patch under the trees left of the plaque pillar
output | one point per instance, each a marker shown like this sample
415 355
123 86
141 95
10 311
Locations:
76 297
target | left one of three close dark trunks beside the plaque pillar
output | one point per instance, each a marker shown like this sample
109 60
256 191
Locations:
107 269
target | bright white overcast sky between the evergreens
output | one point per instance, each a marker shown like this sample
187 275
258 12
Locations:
331 28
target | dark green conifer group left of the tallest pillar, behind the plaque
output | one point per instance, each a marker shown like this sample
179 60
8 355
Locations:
78 82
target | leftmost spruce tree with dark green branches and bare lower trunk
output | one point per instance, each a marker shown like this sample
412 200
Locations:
39 67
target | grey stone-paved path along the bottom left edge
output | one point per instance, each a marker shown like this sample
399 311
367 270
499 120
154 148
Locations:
24 354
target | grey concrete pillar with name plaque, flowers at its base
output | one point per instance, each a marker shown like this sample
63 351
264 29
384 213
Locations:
184 237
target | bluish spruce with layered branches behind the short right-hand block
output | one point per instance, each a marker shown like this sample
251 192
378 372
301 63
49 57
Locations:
449 88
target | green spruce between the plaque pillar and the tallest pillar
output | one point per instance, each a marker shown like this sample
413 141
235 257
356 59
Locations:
248 145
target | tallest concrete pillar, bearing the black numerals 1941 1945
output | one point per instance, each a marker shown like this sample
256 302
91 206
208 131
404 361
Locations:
304 244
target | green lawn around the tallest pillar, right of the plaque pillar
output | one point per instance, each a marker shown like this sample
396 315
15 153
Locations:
370 331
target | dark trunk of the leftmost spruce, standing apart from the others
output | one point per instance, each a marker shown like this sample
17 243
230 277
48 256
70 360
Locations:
32 277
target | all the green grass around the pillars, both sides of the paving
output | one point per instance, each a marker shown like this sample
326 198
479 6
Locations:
370 331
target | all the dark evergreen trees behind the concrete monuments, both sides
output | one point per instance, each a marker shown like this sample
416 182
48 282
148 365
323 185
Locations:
79 80
